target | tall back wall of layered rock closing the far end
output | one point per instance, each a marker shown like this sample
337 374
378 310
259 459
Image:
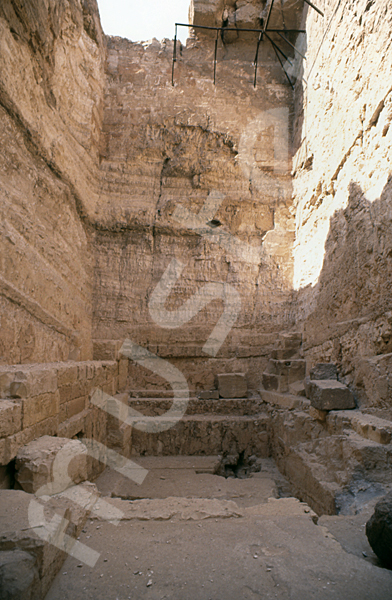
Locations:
165 150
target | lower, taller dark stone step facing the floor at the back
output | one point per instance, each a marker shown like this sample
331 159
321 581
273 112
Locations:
205 435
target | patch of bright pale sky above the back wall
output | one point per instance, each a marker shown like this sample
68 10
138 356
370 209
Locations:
141 20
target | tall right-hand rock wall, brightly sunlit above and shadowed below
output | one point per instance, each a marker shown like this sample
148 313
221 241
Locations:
343 198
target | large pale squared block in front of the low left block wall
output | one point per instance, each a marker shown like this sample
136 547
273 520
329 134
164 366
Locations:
34 463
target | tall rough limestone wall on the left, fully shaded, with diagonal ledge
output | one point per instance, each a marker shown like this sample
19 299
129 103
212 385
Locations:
51 82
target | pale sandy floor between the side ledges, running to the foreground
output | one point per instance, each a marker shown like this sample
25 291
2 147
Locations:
197 536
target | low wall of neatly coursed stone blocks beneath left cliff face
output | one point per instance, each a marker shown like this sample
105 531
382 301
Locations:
54 399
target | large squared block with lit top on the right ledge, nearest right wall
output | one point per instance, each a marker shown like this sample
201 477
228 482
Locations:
328 394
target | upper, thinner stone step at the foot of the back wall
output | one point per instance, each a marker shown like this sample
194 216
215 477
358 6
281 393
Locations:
221 406
